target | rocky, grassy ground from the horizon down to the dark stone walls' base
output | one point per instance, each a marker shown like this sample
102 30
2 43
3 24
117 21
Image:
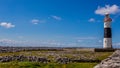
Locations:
54 55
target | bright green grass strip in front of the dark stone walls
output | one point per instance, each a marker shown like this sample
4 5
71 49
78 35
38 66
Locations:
49 65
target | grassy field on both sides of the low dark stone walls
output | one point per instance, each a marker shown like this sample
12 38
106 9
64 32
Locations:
52 55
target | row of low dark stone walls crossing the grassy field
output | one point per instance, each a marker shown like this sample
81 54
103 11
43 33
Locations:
60 60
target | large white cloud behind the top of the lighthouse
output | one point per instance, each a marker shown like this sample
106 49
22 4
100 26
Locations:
107 9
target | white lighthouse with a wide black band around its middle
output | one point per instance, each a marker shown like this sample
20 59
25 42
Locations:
107 41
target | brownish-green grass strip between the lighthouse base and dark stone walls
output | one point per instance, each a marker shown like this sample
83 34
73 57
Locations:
69 54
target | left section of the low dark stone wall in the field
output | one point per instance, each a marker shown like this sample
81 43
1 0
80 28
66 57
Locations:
23 58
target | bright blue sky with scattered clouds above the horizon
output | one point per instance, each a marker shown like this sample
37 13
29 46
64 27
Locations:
61 23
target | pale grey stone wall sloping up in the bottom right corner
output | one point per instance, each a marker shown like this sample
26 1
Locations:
112 61
